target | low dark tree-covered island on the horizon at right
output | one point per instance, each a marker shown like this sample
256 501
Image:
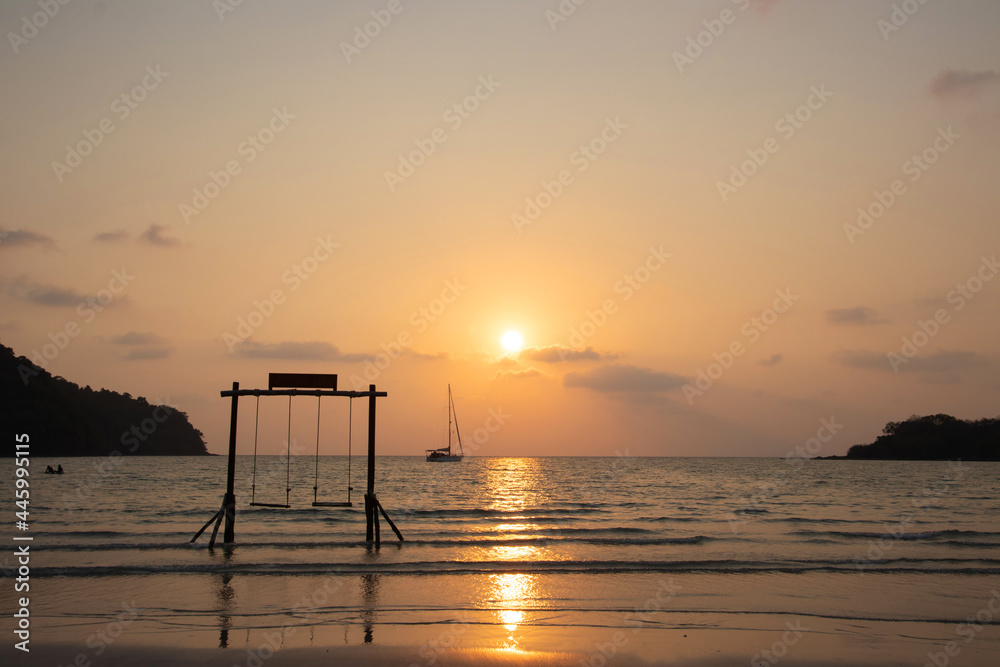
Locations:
932 438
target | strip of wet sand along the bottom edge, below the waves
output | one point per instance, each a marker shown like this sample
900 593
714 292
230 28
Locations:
827 642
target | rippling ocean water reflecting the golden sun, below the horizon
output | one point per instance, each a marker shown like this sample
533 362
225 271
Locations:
511 553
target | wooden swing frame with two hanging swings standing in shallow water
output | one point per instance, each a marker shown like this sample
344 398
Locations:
291 385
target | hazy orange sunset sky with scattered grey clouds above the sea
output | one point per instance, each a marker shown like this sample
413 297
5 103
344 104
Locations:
720 228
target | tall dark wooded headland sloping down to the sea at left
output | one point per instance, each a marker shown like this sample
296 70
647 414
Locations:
64 419
